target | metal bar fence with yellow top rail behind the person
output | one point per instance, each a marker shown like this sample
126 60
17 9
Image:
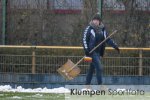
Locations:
47 59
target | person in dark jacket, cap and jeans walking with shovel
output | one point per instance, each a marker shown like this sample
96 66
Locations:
94 34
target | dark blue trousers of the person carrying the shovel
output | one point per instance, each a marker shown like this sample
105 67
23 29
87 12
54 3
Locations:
94 66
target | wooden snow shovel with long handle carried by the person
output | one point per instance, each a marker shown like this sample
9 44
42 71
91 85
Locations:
70 70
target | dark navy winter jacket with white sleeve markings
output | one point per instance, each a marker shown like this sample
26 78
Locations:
92 36
